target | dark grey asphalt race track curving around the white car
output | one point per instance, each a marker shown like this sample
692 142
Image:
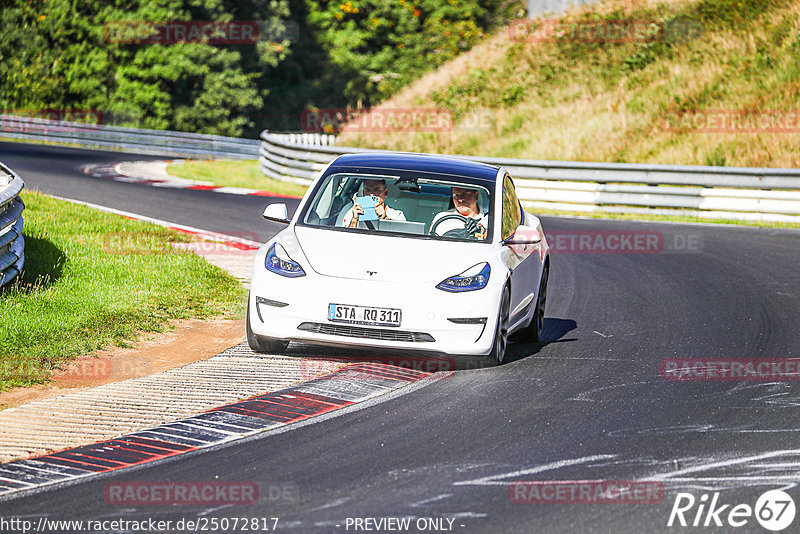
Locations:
587 404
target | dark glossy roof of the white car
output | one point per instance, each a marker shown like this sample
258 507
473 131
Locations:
418 162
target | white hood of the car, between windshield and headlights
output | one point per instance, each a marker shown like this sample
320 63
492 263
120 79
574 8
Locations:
362 256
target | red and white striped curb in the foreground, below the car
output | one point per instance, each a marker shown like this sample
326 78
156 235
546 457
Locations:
355 383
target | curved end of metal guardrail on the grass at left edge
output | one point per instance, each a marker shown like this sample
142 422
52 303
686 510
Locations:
12 245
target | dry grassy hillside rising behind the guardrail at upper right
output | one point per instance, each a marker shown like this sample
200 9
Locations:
681 97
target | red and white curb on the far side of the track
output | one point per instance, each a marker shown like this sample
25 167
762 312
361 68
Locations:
154 173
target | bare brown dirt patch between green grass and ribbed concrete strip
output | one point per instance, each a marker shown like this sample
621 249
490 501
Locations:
190 341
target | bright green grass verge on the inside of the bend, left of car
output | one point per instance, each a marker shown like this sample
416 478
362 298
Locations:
93 280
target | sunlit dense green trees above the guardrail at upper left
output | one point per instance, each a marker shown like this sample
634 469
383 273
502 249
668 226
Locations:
65 54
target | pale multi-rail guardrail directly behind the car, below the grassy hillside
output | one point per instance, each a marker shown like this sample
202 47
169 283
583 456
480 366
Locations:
738 193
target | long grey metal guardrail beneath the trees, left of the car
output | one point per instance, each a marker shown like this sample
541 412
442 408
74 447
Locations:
157 142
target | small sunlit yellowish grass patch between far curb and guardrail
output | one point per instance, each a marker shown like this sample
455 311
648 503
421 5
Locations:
234 173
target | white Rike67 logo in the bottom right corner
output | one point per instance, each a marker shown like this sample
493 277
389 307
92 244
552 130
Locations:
774 510
